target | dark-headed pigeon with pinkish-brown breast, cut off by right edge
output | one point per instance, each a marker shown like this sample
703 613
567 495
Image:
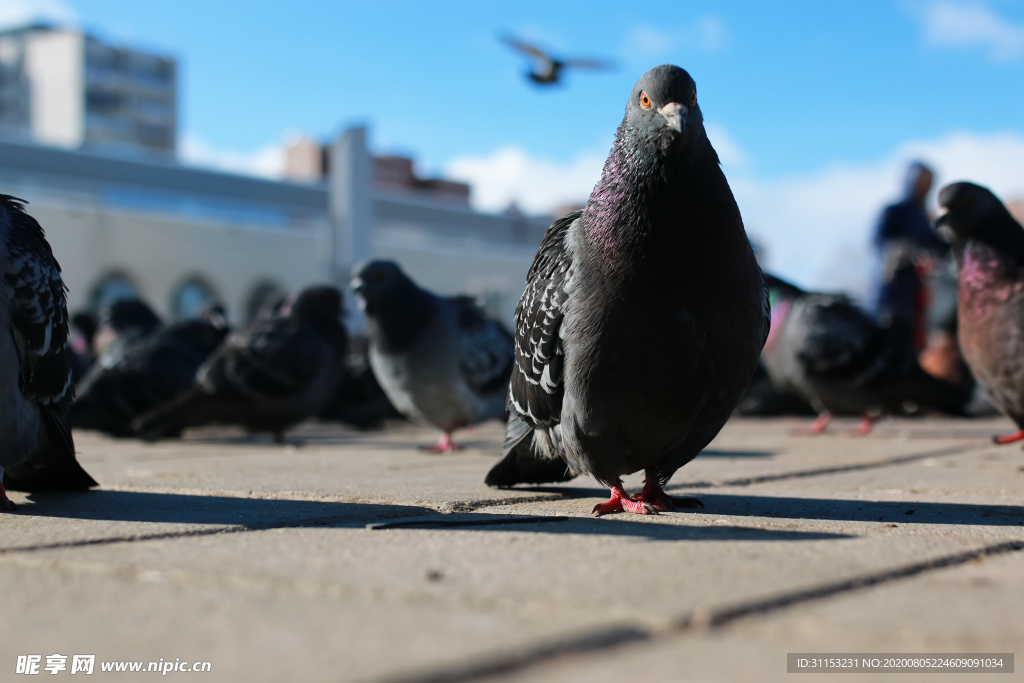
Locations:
989 245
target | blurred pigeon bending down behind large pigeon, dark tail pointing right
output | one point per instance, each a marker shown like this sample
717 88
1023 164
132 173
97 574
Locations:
829 352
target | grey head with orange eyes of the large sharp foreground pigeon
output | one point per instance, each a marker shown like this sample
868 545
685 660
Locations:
663 107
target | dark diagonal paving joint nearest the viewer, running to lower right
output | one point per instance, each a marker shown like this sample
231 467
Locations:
617 637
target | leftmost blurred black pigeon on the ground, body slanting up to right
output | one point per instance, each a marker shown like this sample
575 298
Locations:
151 372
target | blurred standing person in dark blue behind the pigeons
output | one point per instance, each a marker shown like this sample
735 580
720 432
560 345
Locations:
907 247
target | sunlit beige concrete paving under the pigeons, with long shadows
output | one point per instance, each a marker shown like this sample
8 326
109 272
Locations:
355 558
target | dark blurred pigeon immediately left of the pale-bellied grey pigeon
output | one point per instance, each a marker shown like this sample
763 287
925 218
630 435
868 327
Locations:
360 401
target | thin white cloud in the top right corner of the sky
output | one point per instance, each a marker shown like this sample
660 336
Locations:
949 23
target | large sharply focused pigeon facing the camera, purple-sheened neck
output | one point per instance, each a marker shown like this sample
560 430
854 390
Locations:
644 315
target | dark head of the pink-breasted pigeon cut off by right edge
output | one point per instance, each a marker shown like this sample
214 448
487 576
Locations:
972 212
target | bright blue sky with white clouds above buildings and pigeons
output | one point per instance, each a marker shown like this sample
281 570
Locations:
815 106
